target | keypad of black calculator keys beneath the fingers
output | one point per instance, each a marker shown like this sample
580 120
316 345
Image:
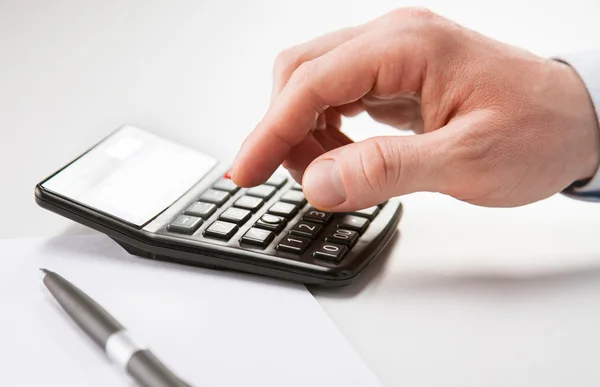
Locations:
264 212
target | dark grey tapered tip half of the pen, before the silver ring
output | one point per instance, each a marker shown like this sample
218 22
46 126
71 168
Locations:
86 313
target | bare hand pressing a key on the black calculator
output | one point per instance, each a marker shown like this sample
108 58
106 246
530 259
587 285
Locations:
496 126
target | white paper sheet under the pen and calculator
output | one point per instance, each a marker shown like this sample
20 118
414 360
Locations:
212 328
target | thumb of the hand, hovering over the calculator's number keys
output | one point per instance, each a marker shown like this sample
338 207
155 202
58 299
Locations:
369 172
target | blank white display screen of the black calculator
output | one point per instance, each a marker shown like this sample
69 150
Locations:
133 175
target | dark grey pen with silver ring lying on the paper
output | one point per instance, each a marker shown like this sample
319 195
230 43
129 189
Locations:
118 344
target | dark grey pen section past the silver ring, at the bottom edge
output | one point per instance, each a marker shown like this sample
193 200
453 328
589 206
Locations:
148 371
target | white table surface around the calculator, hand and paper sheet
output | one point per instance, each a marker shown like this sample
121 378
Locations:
464 296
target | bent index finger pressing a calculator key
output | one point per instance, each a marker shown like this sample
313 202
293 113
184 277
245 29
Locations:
341 76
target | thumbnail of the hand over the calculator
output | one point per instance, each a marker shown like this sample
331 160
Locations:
323 184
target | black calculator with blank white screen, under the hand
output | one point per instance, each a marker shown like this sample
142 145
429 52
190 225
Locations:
163 200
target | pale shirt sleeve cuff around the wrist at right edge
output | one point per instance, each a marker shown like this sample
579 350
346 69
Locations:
587 65
